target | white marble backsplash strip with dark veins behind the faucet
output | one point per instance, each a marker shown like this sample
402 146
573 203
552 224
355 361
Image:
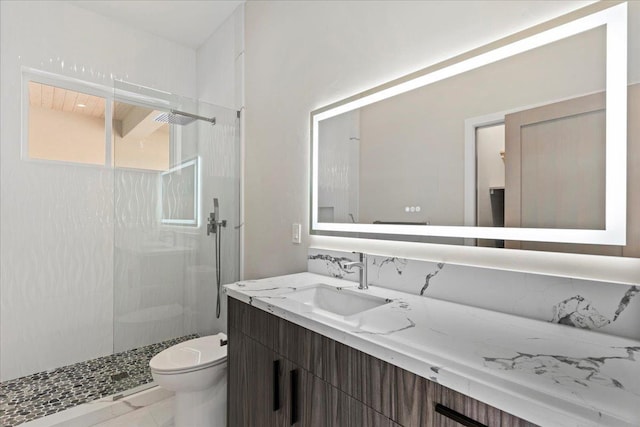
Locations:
605 307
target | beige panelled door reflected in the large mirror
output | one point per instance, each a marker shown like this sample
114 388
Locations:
555 169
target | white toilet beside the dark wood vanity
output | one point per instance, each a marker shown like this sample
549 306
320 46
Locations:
196 370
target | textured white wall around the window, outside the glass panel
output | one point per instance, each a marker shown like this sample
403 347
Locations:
57 220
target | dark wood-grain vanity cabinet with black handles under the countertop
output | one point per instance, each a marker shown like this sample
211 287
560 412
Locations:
281 374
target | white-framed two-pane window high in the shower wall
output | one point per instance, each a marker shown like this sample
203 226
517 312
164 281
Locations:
76 122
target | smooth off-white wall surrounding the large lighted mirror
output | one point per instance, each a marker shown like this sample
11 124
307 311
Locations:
305 55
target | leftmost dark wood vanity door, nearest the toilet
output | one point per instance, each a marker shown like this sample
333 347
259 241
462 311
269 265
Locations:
255 387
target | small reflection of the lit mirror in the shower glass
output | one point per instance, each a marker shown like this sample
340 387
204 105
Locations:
180 194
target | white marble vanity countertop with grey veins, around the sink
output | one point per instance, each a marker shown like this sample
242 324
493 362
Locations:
548 374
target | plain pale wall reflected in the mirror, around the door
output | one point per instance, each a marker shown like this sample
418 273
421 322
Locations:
412 151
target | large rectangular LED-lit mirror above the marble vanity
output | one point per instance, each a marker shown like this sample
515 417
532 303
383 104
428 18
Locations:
523 140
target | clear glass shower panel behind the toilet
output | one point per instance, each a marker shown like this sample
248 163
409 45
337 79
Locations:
168 167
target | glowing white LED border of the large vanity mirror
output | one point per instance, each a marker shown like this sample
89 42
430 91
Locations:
590 17
